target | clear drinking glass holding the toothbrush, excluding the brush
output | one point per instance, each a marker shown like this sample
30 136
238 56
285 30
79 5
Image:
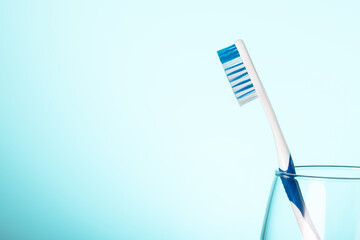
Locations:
332 196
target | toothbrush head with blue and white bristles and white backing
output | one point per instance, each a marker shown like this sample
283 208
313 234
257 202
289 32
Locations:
236 66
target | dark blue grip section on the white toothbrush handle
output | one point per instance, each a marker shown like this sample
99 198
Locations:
292 187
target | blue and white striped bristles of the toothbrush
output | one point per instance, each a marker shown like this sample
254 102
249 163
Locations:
237 74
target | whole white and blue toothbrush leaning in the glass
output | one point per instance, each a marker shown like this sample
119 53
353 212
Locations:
246 85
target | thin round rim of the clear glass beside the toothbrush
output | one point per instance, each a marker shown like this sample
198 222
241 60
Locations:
278 173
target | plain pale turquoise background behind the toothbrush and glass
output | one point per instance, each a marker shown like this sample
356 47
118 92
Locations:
117 121
